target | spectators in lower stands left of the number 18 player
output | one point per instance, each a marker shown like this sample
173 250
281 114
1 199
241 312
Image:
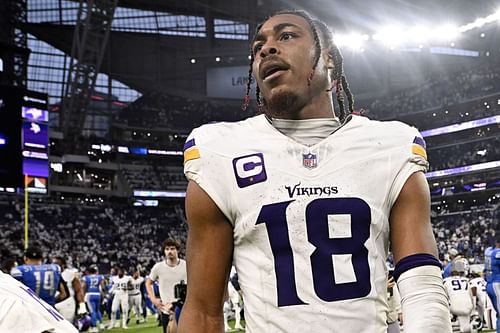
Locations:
89 235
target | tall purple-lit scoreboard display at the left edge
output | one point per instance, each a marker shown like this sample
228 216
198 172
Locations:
24 140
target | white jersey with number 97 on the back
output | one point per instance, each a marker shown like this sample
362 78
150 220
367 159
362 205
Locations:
460 295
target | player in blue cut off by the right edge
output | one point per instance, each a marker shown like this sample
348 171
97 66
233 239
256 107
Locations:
492 268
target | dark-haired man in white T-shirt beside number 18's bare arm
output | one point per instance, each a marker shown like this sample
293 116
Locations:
168 273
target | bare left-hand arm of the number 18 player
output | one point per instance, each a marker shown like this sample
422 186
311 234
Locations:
209 253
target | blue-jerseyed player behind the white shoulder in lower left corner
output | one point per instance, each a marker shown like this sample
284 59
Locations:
44 280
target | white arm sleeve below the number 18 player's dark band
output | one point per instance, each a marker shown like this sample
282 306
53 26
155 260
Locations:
424 301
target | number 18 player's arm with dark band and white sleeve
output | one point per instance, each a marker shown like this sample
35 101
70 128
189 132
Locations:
423 298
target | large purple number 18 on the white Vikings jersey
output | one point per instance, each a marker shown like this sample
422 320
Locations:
318 234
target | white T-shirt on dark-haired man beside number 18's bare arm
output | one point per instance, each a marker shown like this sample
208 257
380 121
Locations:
168 277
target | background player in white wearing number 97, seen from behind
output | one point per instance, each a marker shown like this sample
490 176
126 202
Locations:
462 297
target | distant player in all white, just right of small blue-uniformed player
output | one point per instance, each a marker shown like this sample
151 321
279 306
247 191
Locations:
121 285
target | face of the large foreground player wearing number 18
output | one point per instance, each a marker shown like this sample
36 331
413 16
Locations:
283 52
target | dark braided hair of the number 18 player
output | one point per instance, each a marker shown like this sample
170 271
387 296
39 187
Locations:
321 35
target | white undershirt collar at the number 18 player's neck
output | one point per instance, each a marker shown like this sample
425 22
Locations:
309 131
